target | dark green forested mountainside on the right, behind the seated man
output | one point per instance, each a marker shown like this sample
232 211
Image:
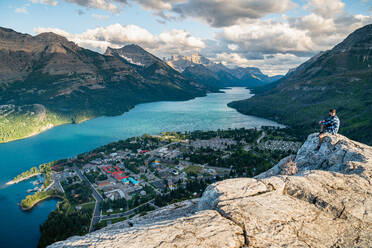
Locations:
340 78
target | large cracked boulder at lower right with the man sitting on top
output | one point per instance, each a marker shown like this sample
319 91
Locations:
326 201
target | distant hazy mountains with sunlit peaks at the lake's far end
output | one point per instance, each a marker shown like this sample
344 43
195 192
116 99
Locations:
201 69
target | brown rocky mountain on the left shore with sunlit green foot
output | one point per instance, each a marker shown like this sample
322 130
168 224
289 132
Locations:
72 84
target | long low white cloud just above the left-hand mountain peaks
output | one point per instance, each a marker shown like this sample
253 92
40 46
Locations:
116 35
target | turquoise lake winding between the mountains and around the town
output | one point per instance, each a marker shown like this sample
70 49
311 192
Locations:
21 229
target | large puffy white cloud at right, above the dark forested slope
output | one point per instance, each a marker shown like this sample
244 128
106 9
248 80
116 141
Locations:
302 36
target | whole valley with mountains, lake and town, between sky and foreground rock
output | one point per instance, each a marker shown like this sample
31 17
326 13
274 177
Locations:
183 128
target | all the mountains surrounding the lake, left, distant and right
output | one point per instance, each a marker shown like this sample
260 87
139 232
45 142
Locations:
46 80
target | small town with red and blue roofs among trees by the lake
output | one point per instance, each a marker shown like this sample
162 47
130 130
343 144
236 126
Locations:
132 177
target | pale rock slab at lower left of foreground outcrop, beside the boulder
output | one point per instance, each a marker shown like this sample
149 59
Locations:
176 225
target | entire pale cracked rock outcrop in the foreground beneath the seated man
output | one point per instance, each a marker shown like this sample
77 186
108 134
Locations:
314 199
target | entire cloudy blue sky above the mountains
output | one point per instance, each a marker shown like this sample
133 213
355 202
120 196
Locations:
273 35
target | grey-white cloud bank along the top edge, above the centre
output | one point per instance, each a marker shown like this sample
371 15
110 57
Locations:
217 13
